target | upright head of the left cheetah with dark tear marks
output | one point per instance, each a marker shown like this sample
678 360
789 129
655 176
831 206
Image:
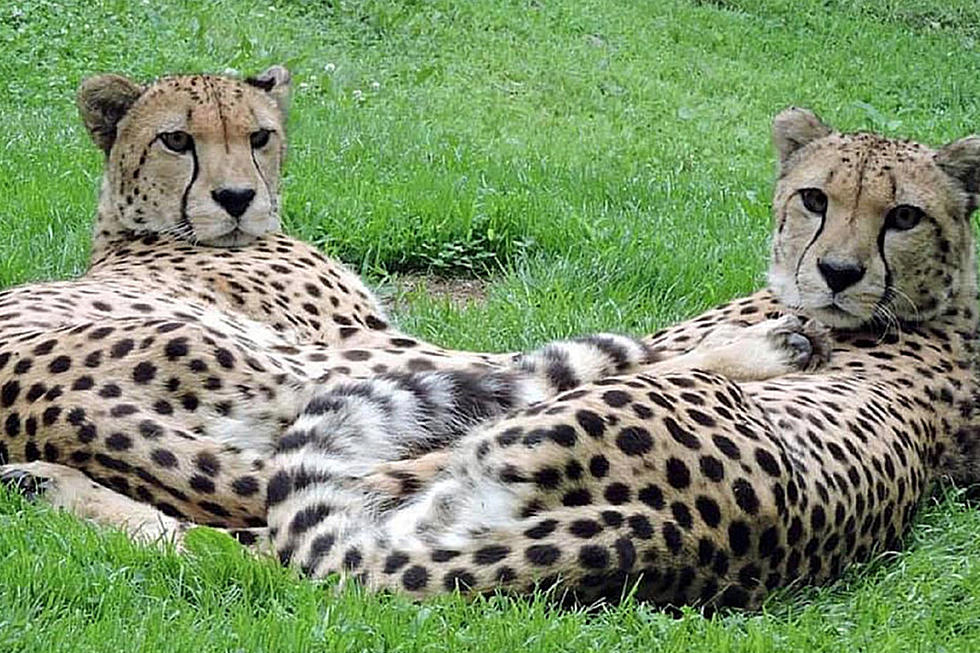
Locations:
196 157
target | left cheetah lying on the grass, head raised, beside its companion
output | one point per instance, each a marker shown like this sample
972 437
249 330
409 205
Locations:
188 268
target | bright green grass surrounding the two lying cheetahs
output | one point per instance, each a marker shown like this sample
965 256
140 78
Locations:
605 164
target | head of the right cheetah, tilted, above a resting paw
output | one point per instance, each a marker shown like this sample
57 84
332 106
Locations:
869 229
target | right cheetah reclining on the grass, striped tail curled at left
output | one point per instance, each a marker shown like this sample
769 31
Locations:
686 484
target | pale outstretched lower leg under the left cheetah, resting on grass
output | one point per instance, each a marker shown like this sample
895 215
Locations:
68 489
